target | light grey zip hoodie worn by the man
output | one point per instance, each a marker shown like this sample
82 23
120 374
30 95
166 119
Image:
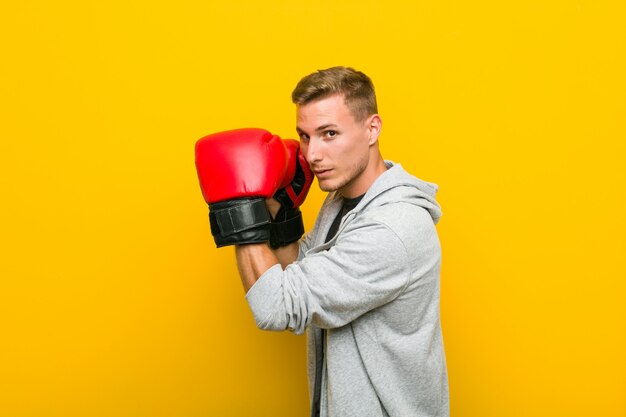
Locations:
375 288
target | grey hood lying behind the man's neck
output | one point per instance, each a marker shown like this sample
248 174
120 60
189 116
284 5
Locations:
395 185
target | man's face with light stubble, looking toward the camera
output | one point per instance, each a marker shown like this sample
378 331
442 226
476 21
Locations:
335 145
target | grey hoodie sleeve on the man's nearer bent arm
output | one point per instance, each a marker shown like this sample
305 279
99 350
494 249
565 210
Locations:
367 267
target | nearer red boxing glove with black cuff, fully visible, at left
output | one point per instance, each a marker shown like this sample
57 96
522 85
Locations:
238 170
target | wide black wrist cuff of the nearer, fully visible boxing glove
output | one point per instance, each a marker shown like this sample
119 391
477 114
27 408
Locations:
239 221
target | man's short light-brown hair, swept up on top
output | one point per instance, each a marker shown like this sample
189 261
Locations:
356 88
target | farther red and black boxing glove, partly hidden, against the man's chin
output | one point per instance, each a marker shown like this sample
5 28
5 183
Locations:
287 226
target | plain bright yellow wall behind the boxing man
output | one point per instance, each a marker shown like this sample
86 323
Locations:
113 299
